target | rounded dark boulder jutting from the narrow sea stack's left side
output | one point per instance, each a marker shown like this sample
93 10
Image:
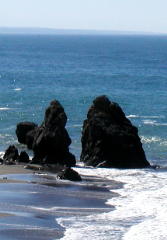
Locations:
22 130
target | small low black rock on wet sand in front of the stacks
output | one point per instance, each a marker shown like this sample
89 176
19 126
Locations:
69 174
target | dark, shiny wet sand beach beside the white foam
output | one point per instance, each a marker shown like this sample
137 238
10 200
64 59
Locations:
30 202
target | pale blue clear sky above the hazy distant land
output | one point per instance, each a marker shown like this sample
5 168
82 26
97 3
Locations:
125 15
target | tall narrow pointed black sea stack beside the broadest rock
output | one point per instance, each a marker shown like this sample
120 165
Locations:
51 141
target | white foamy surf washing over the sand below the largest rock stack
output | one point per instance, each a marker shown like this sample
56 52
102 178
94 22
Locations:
140 210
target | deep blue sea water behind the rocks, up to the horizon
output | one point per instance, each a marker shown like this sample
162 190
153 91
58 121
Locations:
130 70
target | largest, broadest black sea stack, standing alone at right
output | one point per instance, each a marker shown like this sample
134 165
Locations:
109 139
